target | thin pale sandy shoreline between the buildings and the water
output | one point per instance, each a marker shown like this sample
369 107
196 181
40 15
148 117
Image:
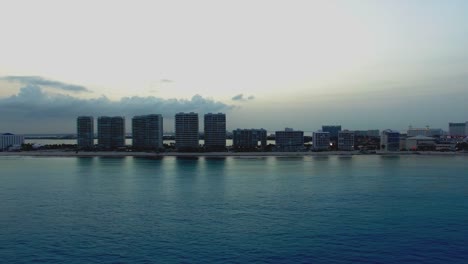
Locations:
56 153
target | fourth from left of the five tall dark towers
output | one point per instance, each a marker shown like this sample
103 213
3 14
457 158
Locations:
186 127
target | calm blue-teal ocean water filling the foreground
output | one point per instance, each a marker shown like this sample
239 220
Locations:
360 209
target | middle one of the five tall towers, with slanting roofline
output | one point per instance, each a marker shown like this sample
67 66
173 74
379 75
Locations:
147 132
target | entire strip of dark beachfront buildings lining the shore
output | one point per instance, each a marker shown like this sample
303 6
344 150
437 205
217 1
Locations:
148 136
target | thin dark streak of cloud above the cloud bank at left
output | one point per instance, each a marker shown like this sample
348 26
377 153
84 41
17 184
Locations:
39 81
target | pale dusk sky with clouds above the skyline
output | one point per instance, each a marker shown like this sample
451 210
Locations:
362 64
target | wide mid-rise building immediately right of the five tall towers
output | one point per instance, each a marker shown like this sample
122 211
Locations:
248 139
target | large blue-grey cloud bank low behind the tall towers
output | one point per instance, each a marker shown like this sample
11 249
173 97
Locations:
33 110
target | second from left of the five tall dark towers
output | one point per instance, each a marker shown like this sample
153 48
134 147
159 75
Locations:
111 132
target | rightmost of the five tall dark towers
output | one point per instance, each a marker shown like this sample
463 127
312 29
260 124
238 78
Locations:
215 131
